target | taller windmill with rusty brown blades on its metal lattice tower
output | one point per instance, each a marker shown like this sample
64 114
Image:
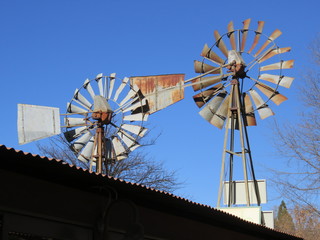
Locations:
233 95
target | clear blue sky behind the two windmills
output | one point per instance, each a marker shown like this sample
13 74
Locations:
48 48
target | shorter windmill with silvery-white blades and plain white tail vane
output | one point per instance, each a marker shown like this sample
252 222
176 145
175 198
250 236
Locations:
103 123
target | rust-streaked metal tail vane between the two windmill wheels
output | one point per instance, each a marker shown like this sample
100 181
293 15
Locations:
160 90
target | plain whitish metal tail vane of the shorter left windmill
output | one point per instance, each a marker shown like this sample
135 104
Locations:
37 122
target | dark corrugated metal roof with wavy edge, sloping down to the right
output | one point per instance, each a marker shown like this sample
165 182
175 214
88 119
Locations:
58 171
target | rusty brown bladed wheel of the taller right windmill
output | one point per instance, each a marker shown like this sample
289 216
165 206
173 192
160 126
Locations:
249 63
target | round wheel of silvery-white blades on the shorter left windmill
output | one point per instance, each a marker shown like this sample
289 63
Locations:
110 113
